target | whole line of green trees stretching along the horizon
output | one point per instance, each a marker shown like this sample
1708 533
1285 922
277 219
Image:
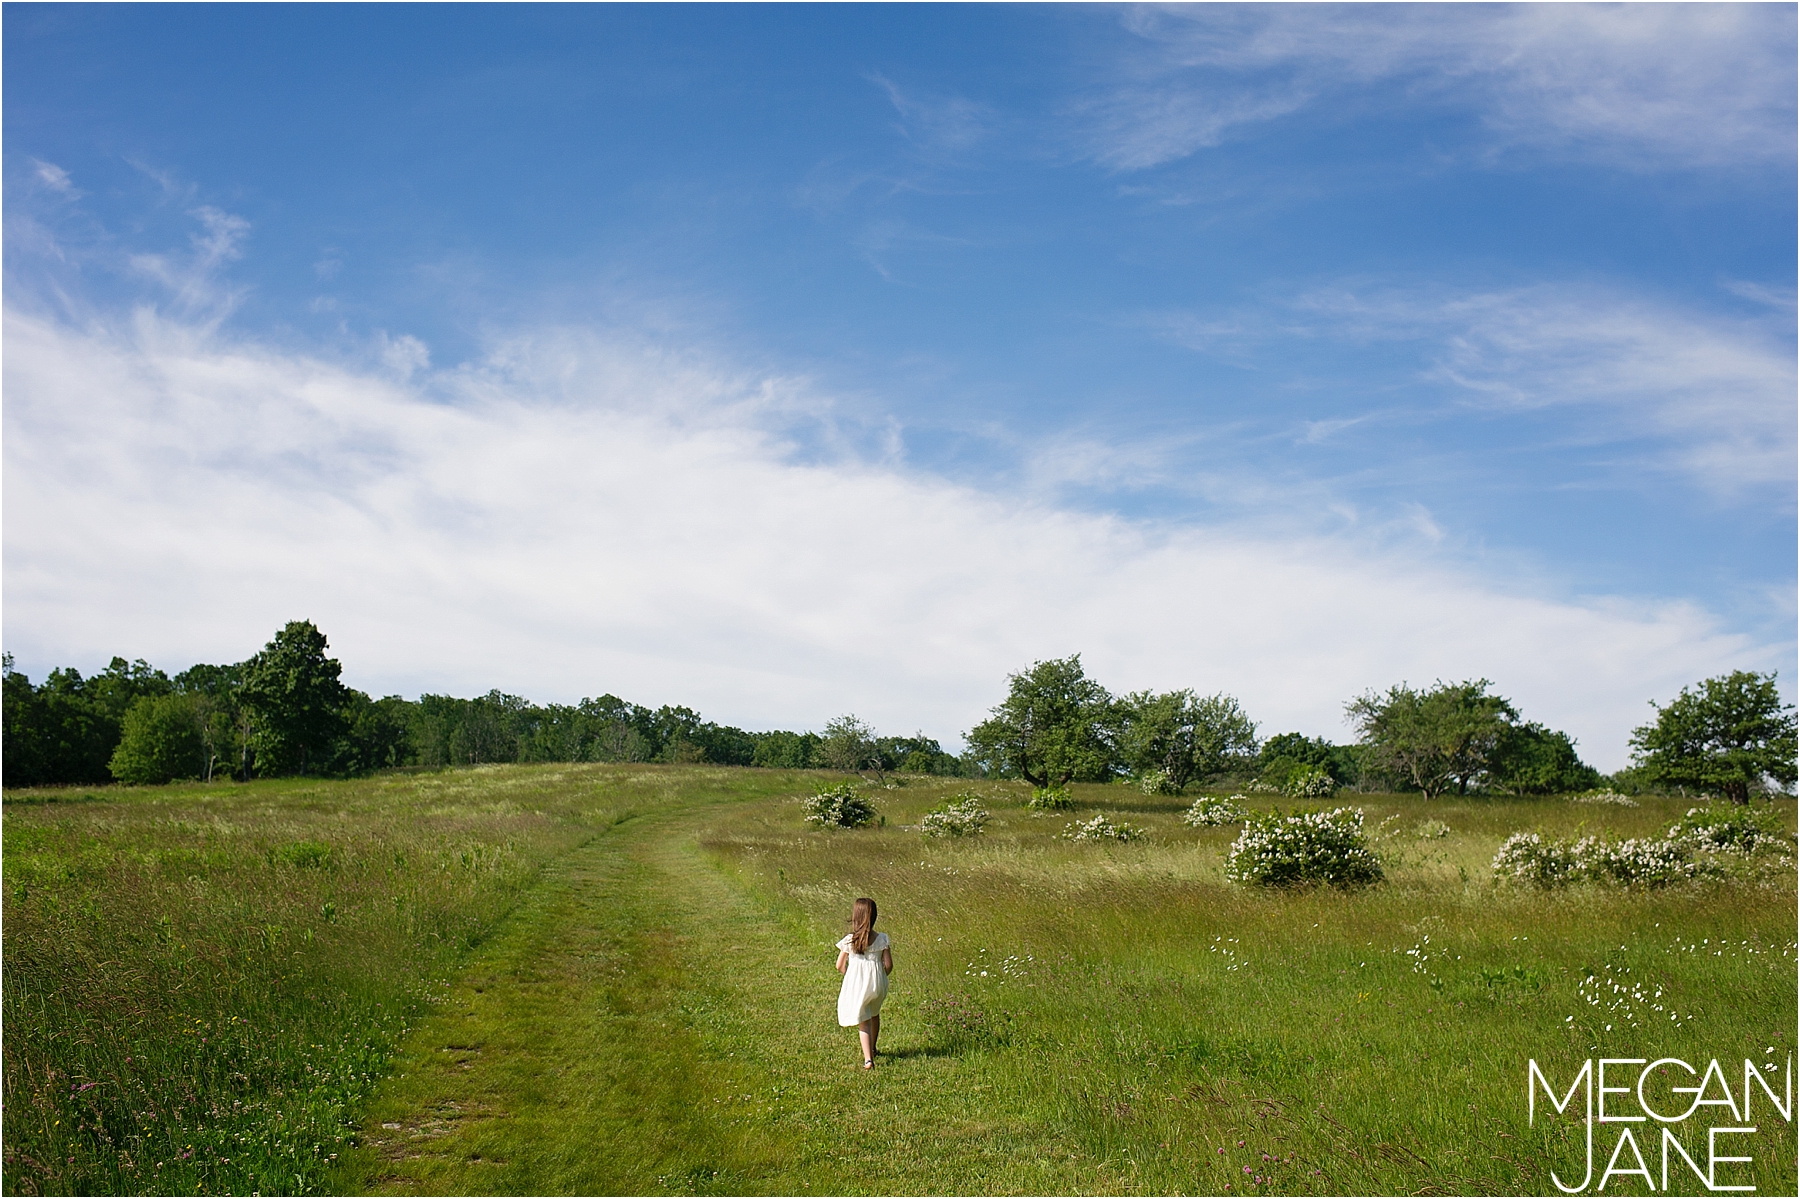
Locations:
285 710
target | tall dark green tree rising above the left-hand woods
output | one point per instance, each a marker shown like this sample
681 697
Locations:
294 701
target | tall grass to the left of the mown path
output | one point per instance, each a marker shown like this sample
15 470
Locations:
202 984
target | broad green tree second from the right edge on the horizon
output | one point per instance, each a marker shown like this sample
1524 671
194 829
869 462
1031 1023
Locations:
1434 739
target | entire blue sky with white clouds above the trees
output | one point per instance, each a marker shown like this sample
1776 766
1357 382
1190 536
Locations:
795 361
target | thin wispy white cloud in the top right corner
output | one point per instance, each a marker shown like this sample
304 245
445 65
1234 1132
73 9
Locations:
1644 86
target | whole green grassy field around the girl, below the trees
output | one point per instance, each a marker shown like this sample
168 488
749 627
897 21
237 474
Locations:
618 978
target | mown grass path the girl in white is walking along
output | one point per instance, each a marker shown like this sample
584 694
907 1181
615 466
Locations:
647 1025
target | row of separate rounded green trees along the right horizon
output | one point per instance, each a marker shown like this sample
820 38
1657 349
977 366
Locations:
1729 735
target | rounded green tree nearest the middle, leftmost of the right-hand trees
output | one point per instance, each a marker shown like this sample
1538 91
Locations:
1054 726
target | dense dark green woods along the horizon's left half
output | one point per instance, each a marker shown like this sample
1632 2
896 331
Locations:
287 712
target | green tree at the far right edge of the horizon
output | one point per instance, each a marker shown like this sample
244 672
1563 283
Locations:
1727 735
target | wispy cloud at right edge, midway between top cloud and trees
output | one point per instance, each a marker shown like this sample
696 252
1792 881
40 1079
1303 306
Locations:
1711 395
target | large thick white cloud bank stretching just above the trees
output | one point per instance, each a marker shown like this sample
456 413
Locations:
580 514
